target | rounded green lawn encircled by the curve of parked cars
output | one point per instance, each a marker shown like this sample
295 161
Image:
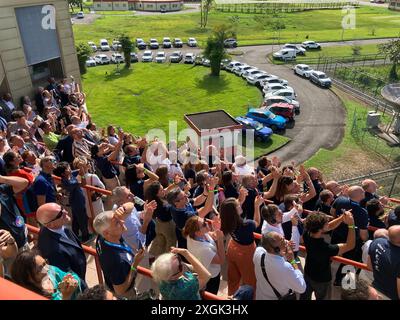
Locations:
150 95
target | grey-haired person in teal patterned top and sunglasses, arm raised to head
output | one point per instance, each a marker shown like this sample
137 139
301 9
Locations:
175 281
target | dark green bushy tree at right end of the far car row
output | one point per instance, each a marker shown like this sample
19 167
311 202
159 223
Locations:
215 50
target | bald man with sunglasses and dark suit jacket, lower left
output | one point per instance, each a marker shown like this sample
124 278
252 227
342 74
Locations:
59 245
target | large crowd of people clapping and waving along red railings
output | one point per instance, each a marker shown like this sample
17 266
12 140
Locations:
190 216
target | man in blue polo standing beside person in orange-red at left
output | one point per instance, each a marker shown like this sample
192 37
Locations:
43 186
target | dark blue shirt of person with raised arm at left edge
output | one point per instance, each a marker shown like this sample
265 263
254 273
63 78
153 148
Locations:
10 217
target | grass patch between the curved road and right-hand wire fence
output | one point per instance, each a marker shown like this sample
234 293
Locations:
356 153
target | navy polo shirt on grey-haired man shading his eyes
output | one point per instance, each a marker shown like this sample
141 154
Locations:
115 261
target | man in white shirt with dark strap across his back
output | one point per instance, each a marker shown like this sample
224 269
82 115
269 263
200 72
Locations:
280 268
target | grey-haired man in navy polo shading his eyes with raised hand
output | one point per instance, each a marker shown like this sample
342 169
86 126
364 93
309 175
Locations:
118 261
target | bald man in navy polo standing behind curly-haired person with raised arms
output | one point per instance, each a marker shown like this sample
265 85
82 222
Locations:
339 235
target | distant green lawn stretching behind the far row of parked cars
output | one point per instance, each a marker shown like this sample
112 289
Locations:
319 25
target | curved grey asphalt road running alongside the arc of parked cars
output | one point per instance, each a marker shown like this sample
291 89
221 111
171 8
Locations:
321 121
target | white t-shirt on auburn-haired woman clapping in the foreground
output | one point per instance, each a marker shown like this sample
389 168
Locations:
205 251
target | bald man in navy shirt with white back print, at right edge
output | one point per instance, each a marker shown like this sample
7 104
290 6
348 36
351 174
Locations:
384 260
